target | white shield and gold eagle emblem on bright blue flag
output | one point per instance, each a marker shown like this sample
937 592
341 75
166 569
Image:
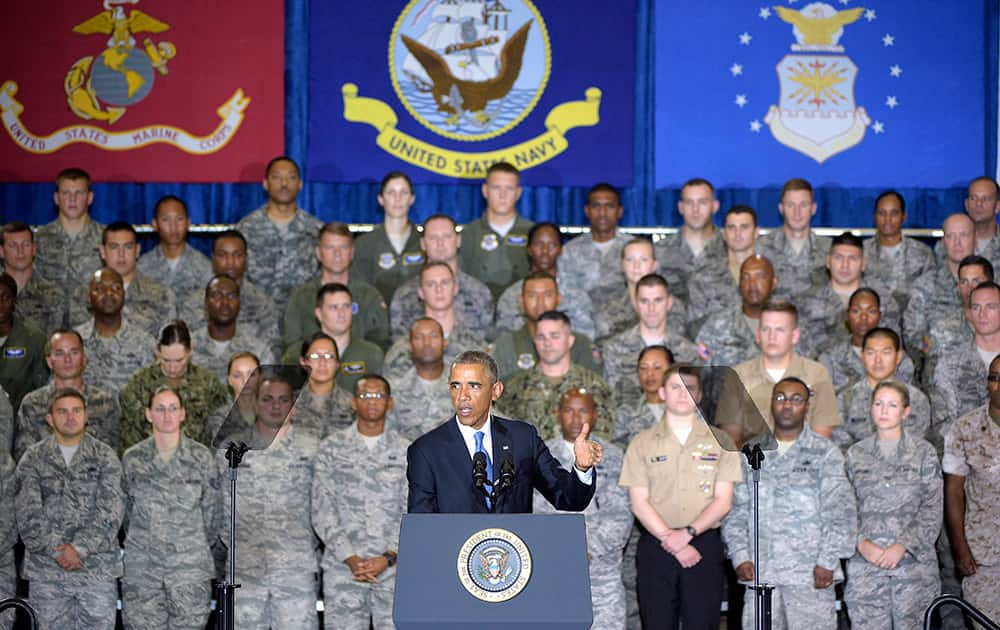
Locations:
817 114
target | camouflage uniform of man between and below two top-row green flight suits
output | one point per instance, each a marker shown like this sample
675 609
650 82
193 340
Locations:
473 306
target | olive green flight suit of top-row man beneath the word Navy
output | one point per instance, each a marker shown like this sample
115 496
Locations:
497 261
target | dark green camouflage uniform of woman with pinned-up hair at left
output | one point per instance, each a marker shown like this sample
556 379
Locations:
201 391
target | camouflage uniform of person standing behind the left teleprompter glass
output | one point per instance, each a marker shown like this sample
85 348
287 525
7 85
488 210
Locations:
274 529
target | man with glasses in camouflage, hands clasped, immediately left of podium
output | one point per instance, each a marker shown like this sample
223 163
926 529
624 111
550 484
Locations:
358 498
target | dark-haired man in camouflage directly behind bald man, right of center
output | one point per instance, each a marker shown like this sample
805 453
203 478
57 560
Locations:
716 287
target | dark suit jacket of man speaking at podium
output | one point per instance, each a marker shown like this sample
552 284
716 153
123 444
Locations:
439 471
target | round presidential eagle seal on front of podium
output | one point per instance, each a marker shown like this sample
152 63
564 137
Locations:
494 565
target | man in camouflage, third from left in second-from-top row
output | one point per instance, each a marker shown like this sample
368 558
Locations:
257 310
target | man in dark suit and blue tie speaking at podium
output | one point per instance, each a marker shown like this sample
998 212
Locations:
478 462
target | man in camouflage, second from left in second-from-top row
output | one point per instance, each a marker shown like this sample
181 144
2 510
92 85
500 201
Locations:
146 300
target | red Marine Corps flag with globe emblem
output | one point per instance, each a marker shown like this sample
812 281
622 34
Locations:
141 90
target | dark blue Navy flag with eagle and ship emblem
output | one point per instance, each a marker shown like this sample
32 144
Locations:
445 88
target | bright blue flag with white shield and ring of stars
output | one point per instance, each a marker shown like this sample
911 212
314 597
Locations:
851 93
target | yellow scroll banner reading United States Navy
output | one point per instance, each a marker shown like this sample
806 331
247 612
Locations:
470 165
